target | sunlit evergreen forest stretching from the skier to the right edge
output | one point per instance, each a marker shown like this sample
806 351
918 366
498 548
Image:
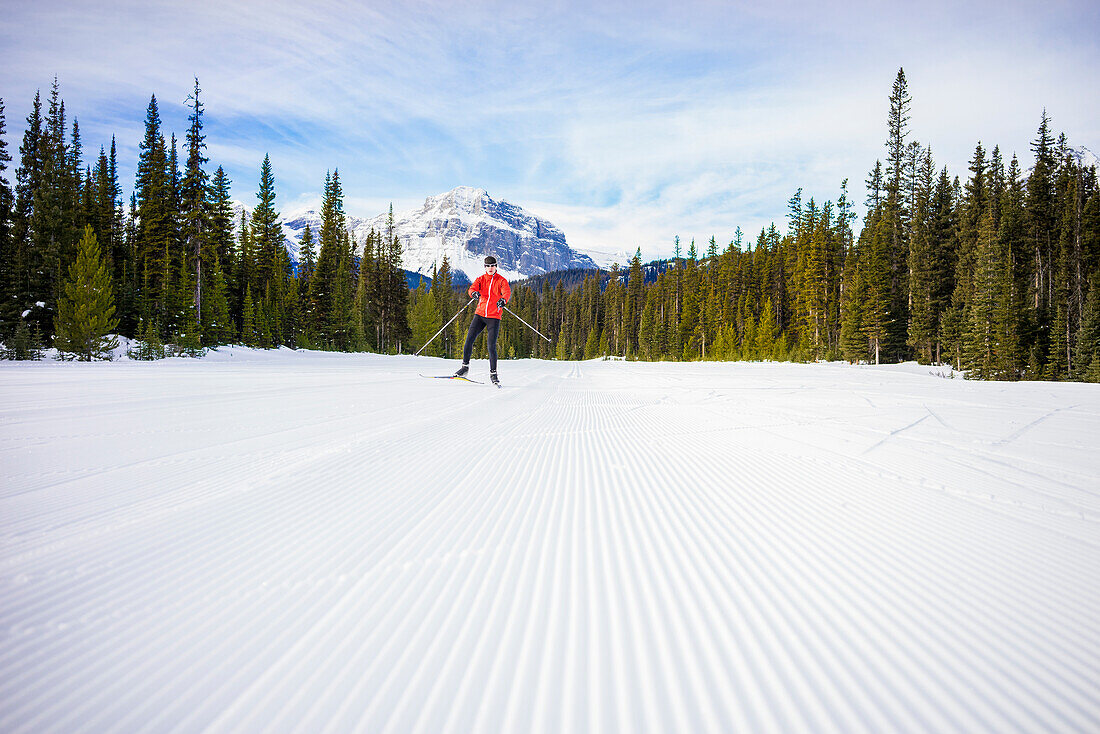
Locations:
999 275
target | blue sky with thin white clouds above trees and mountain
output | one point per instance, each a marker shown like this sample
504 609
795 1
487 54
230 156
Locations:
625 124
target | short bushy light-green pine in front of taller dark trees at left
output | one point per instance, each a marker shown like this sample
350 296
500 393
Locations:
86 308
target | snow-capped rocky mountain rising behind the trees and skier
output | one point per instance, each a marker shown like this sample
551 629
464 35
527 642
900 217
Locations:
465 225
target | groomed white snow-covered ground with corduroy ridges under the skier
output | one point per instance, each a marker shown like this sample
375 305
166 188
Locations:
303 542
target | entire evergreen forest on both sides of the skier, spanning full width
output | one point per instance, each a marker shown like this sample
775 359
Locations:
998 275
